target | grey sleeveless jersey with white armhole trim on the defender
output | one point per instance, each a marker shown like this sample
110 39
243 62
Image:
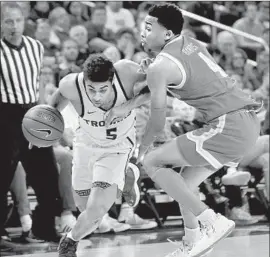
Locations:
205 84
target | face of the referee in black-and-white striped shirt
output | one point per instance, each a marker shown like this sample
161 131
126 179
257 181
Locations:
12 24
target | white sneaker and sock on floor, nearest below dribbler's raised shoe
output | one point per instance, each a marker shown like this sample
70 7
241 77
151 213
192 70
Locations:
127 216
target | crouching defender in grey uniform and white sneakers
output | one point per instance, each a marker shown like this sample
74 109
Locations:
185 69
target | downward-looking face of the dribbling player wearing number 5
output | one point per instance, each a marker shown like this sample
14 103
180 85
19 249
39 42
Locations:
99 92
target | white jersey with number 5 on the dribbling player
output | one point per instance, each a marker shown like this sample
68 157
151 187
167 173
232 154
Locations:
92 119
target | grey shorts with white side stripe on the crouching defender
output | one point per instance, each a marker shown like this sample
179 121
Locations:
224 141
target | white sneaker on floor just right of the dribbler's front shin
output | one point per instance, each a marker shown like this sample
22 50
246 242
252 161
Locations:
109 224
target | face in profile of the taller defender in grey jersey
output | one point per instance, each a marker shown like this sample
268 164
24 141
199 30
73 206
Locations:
153 34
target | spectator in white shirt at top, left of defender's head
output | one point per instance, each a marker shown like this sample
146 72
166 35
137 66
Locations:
118 17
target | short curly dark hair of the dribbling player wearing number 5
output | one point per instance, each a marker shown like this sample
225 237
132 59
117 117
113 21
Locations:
98 68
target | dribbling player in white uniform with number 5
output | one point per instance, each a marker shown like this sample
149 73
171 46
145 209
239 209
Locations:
101 151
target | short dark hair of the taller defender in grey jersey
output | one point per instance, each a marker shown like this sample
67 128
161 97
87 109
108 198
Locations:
169 16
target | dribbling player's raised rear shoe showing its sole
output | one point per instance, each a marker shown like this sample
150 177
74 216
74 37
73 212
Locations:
131 190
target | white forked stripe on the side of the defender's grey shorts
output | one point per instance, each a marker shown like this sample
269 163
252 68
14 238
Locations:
199 140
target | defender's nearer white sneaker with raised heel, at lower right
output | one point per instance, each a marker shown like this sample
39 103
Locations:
220 228
